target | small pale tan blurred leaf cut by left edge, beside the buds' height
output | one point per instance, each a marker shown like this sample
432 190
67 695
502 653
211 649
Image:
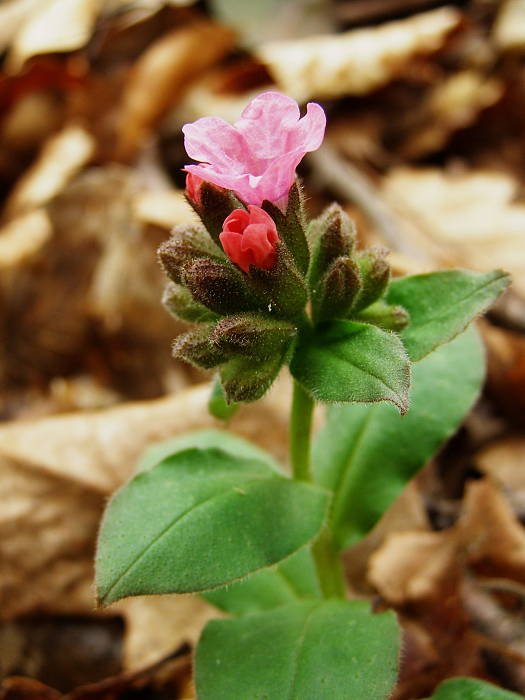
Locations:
23 237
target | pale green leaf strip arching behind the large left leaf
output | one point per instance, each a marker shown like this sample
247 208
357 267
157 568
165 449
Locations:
205 439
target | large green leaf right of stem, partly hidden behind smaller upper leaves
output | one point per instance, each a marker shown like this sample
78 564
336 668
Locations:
366 454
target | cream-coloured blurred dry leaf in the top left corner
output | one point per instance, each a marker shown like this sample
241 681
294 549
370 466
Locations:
53 26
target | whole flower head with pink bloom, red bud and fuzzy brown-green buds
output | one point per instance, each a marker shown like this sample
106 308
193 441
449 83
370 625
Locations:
247 274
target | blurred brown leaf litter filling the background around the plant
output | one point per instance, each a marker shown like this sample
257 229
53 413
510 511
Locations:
425 147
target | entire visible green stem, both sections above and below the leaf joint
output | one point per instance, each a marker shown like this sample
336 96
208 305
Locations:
327 561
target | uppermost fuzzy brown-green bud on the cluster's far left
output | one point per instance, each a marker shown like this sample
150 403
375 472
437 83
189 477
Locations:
185 245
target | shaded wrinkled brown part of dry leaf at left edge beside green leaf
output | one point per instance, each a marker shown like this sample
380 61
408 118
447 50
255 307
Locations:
47 526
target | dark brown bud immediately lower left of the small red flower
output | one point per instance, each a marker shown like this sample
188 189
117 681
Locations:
220 287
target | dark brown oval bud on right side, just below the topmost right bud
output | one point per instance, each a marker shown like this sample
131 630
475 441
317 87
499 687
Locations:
337 290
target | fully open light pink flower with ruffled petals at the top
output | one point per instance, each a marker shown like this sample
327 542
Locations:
258 155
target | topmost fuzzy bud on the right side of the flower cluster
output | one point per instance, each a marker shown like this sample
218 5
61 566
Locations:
332 235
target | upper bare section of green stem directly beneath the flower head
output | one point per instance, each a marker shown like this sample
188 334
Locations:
300 429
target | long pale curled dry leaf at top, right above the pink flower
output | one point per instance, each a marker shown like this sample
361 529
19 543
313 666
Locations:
356 62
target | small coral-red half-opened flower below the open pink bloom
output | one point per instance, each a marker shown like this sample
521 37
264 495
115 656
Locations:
249 238
